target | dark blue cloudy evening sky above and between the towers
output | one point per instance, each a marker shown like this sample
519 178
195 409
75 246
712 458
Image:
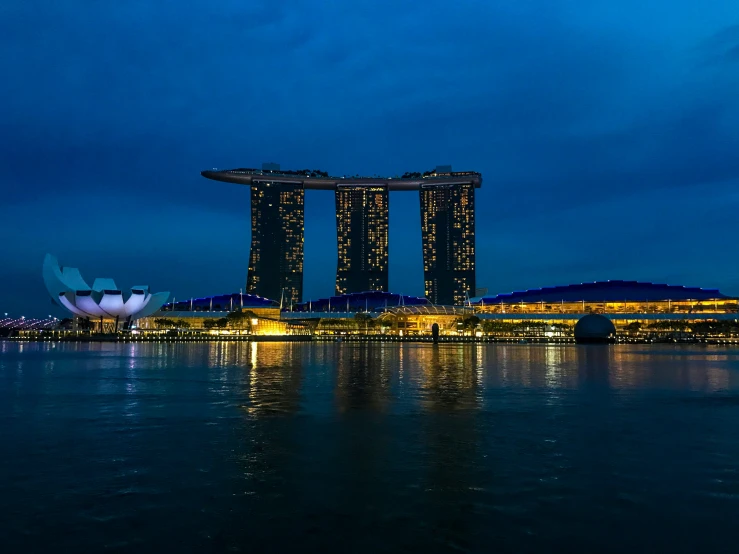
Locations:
607 134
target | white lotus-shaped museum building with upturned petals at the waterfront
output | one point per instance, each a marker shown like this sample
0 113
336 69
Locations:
102 300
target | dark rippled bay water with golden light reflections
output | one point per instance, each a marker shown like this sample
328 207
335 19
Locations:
270 446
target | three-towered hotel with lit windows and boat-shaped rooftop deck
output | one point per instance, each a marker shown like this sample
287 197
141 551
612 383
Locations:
362 206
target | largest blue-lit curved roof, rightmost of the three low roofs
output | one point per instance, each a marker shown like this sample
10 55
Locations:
604 291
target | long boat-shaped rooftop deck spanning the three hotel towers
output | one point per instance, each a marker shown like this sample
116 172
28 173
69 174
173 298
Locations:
320 180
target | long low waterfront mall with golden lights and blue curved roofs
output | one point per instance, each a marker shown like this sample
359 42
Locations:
637 310
